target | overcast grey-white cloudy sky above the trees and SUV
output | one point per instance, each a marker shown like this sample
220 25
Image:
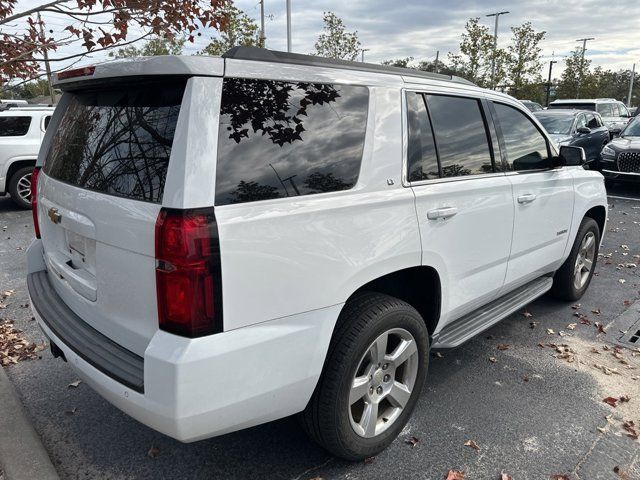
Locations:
419 28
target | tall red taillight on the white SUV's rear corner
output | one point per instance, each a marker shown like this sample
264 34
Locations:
188 273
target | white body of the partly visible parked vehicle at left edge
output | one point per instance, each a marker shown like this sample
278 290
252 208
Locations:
23 148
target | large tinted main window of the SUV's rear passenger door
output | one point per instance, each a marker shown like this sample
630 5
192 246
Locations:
461 135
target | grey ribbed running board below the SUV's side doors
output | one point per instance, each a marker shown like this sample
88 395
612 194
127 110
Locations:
467 327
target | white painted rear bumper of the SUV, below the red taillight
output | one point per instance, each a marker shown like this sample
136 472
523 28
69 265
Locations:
199 388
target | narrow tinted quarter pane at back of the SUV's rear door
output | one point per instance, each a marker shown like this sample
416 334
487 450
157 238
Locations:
422 163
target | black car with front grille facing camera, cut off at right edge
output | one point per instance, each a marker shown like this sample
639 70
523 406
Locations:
621 158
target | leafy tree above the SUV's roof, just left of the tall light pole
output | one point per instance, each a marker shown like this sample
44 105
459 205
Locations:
476 51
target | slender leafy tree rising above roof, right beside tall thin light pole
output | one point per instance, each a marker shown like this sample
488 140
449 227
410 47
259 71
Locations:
523 59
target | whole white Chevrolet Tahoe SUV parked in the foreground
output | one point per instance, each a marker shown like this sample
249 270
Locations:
222 242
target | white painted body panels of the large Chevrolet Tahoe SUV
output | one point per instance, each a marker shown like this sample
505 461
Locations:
290 264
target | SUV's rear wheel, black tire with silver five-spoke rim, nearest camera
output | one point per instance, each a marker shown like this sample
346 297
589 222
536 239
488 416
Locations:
330 418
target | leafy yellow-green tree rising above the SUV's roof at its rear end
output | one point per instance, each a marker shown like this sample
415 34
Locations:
239 30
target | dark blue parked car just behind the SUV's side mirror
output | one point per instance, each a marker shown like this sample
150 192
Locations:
578 128
